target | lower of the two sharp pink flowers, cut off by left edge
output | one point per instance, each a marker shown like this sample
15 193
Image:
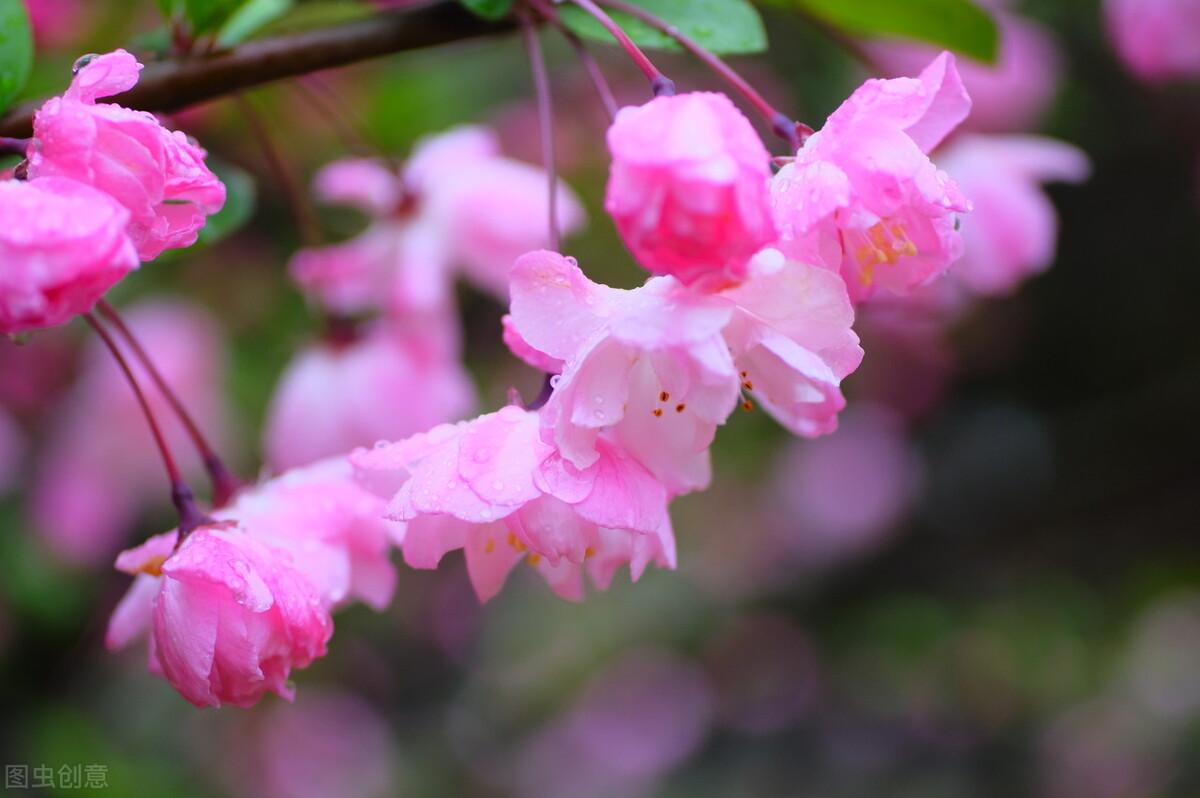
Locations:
63 245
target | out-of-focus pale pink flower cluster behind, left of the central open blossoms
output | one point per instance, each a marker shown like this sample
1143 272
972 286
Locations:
457 207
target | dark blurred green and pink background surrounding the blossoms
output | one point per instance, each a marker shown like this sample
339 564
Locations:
986 585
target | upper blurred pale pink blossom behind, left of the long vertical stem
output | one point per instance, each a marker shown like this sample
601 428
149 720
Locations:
458 203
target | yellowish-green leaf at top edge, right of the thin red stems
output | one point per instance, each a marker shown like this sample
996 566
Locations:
959 26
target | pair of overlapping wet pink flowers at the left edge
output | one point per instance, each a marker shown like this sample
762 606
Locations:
106 188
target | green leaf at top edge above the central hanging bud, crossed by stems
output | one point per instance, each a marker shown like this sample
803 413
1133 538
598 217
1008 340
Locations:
723 27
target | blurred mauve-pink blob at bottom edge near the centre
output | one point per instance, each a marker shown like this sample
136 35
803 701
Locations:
635 723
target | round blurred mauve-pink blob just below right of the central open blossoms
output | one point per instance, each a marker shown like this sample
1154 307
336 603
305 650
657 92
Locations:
845 495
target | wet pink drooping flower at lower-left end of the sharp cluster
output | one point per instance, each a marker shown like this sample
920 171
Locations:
231 616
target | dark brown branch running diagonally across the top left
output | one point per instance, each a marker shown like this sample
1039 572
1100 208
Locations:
178 83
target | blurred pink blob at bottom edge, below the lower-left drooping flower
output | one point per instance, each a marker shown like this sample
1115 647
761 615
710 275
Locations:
329 745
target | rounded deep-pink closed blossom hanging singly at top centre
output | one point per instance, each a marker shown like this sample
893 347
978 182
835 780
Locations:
688 188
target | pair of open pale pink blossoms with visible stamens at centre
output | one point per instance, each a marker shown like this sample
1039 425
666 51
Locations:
663 367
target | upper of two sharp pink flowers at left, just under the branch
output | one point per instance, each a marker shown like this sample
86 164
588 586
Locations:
158 175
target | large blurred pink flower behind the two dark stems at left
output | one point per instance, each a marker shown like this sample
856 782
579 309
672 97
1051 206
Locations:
99 467
